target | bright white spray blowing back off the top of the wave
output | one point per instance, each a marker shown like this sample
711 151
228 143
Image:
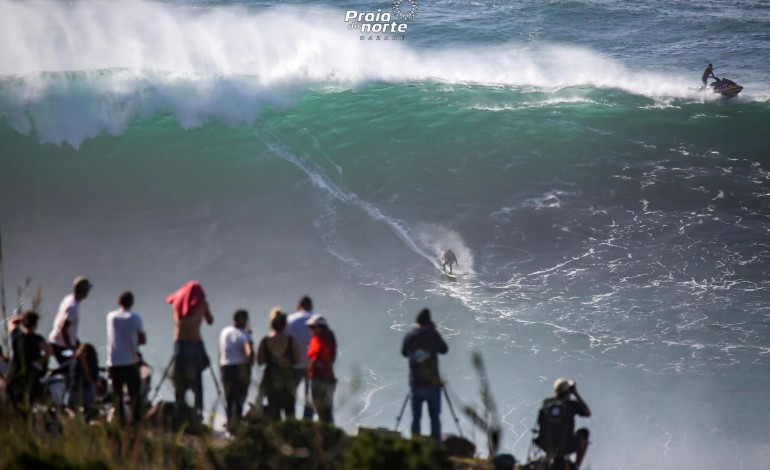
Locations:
278 46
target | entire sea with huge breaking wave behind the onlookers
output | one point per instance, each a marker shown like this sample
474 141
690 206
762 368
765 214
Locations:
609 217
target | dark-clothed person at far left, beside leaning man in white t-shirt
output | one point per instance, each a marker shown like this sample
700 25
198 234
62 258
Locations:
29 363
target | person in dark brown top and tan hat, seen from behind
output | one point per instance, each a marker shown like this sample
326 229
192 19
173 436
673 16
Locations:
279 353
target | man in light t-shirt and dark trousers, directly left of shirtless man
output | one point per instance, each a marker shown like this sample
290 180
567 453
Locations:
125 333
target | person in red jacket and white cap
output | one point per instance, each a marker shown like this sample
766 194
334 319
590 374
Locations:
321 353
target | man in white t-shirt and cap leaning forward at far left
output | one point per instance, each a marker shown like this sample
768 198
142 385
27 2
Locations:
64 334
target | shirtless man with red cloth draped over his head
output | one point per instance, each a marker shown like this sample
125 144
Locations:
190 309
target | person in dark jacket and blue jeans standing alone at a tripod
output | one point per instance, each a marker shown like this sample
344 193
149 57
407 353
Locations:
422 345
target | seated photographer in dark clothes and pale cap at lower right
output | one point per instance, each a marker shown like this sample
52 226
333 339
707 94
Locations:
556 422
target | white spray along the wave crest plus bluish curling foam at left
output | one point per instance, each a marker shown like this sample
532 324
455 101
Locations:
78 69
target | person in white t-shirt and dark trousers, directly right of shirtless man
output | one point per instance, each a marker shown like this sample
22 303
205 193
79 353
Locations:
236 355
